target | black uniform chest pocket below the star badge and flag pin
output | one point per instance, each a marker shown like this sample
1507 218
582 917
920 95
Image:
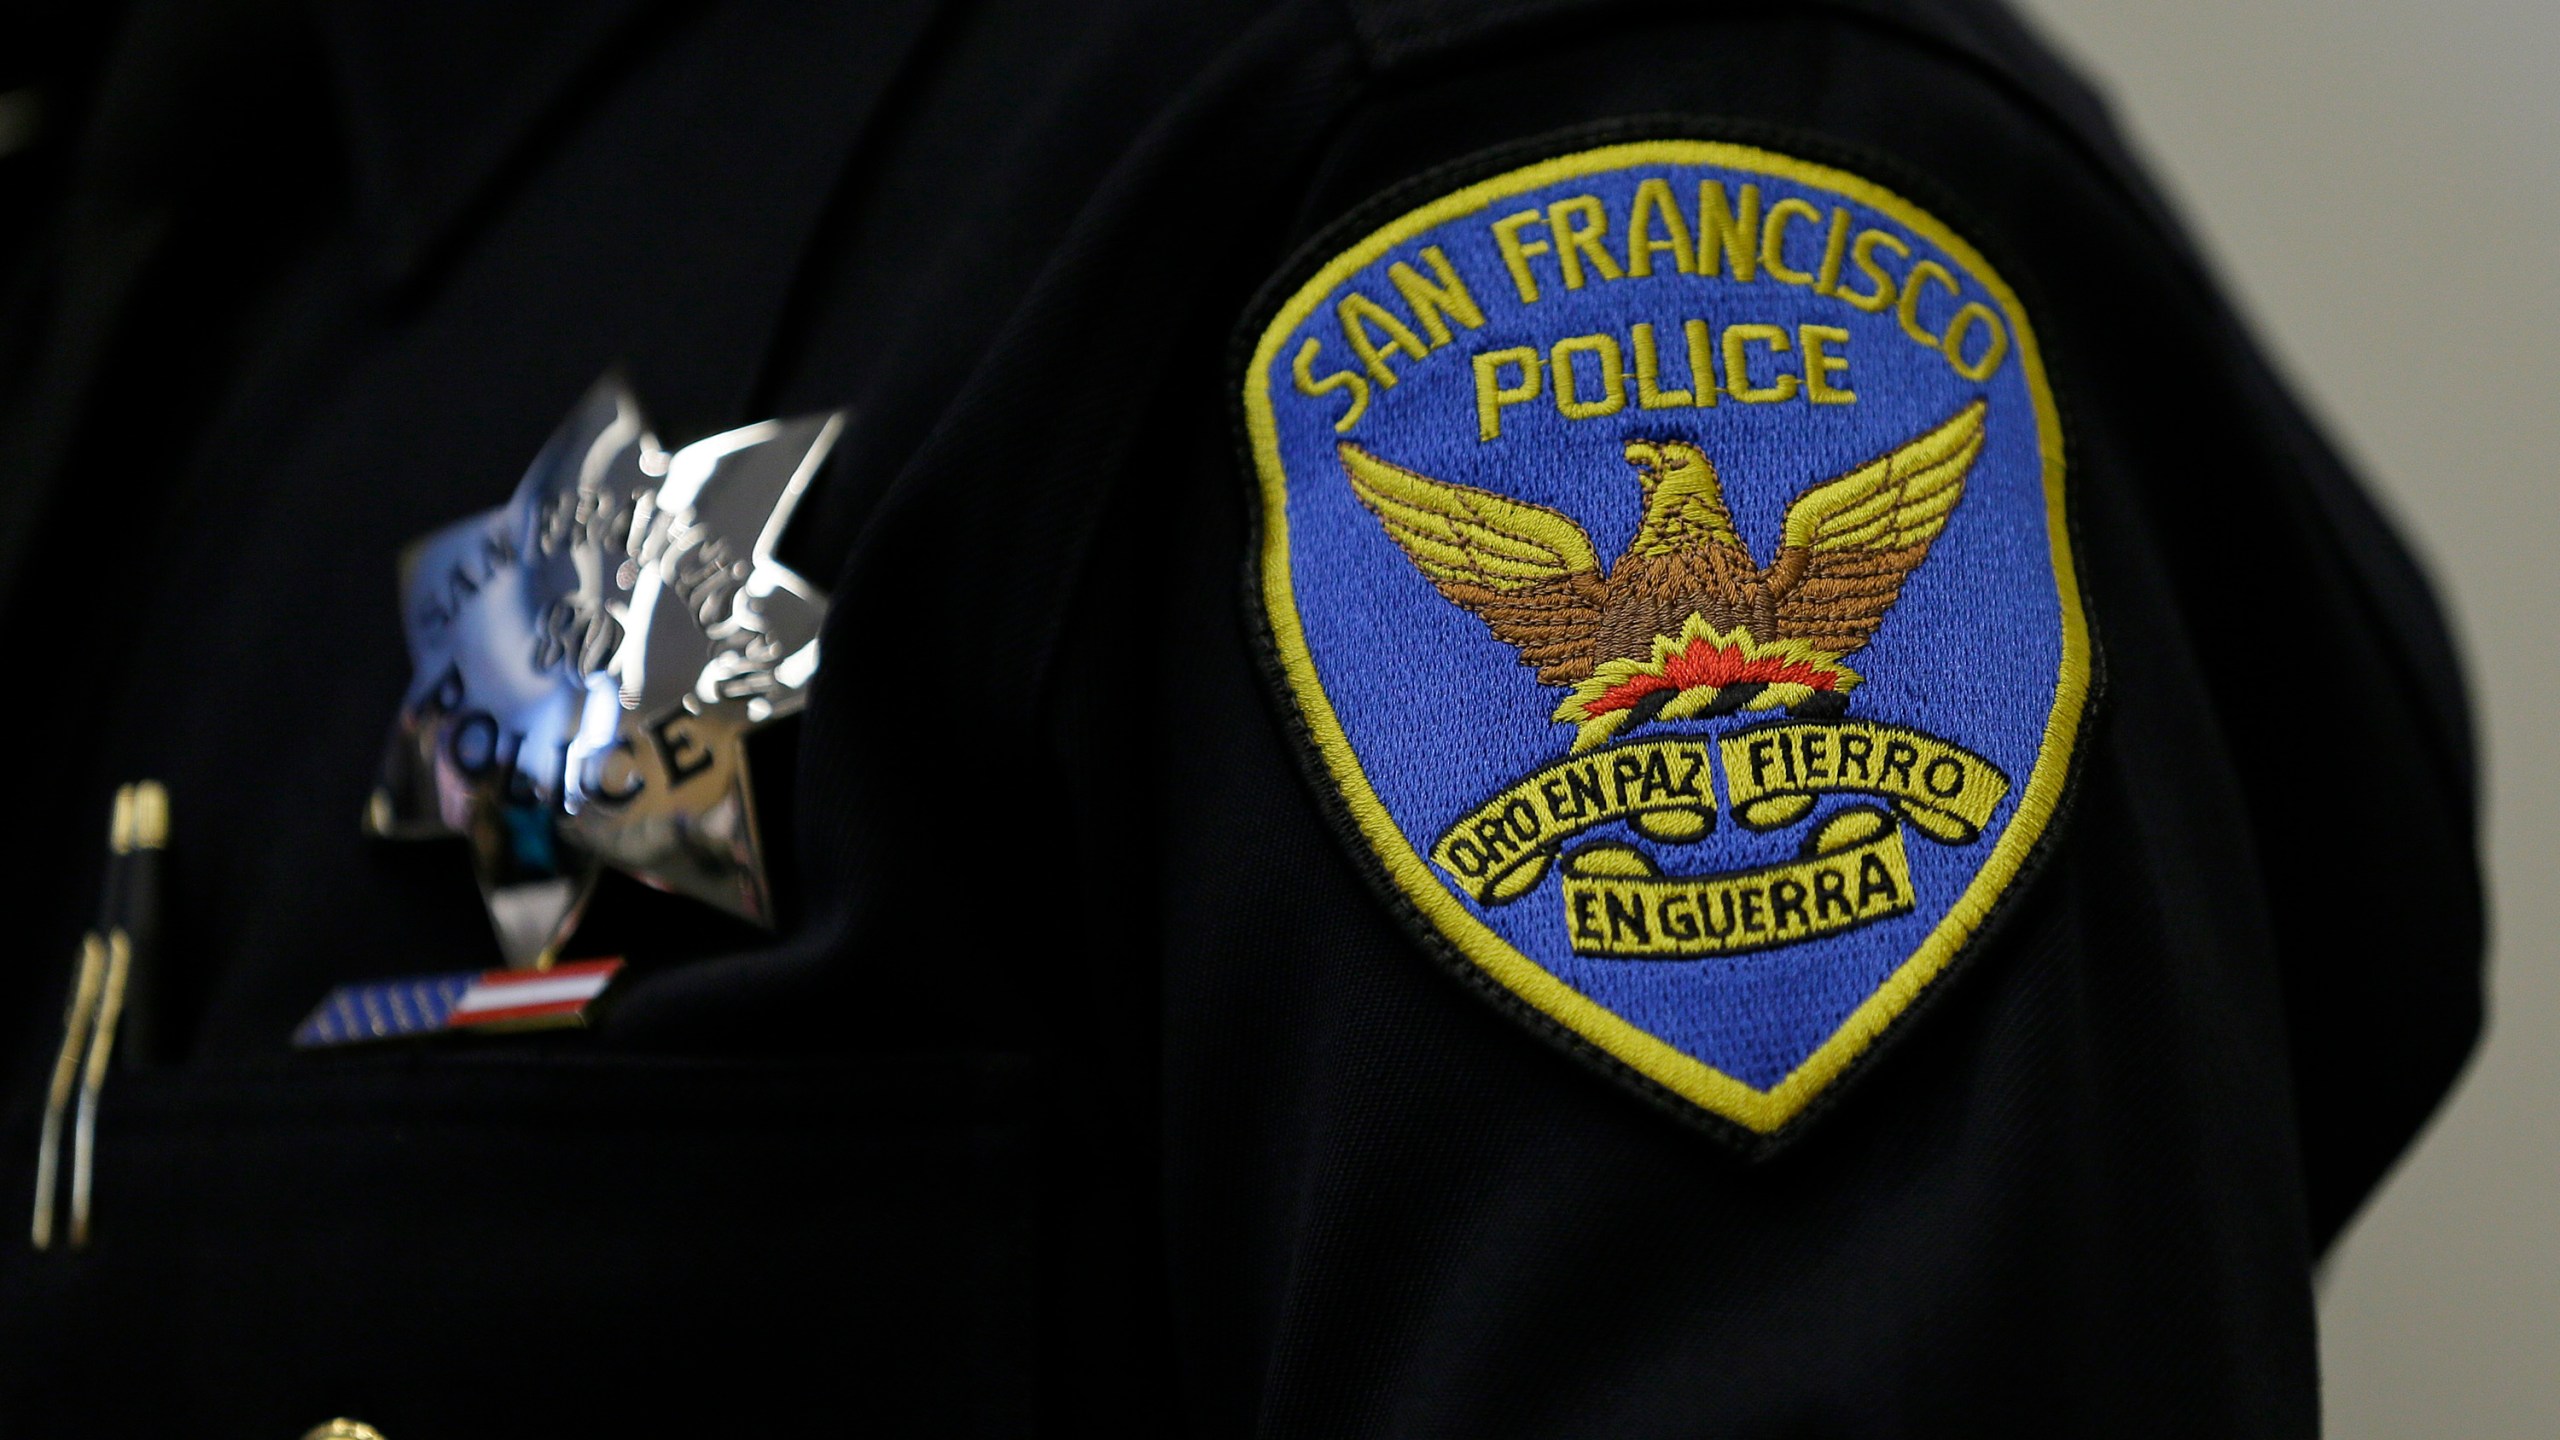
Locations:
539 1247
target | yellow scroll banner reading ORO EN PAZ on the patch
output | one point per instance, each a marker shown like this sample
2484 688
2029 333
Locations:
1504 847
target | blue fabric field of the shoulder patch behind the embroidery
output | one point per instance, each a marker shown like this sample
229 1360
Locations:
1443 714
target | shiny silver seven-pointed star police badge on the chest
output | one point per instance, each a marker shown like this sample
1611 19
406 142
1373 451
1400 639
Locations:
590 662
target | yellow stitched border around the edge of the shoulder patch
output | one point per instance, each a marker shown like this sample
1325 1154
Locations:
1699 1083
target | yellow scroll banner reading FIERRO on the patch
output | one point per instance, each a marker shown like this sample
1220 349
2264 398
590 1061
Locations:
1775 775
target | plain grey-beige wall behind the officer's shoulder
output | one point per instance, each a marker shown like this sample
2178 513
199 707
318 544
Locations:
2382 188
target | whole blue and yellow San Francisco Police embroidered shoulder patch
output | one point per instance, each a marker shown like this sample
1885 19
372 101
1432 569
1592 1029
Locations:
1665 550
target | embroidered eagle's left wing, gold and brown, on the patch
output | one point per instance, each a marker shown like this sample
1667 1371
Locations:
1530 573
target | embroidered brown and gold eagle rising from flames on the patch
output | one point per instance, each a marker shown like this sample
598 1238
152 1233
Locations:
1686 621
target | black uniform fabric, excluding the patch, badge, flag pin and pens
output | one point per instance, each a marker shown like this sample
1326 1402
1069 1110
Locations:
1187 1136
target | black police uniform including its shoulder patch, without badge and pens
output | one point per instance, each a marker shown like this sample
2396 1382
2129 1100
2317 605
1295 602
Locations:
1164 1019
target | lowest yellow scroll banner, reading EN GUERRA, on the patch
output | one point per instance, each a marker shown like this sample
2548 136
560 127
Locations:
1852 872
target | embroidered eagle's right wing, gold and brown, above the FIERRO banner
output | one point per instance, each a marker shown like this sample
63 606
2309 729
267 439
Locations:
1852 542
